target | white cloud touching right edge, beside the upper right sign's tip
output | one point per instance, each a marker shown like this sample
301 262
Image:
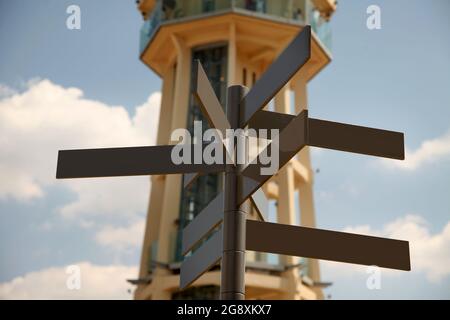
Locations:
429 151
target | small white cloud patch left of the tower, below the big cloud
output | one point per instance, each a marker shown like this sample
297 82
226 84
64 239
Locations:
122 238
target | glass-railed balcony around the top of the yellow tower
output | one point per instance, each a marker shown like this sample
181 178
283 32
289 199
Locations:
174 15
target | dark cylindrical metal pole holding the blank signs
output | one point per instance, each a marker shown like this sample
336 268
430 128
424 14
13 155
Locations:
234 226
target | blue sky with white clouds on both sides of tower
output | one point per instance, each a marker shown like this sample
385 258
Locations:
63 88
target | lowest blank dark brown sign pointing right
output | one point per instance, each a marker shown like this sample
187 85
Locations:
327 245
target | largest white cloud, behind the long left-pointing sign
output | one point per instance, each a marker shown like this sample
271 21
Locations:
45 118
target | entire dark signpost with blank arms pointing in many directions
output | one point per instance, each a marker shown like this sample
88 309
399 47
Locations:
223 221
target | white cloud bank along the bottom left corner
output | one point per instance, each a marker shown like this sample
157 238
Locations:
97 282
